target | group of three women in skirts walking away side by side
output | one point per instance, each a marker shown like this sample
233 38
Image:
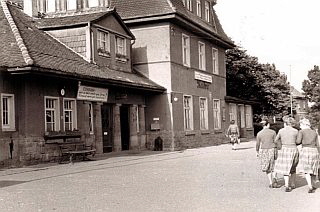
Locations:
278 153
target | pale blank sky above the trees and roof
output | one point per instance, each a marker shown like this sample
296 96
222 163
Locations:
283 32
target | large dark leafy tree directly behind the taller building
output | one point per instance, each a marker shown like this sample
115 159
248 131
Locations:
248 79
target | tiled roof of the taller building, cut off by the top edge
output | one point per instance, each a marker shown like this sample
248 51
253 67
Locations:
131 10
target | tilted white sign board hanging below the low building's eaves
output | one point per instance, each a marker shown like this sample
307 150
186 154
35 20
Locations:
92 94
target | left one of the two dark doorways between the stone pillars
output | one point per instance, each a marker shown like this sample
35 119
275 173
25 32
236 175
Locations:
107 123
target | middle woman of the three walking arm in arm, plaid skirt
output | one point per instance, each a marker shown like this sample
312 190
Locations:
288 155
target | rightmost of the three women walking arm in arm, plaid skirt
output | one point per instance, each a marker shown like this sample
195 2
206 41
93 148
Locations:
309 157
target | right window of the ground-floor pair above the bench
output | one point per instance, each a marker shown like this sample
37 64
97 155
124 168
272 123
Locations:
69 110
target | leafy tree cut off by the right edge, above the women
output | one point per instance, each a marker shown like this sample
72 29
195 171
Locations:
311 88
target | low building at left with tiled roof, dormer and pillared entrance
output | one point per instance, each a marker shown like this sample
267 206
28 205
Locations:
68 77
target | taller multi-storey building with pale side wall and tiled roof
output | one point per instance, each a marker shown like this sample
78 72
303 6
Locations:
181 45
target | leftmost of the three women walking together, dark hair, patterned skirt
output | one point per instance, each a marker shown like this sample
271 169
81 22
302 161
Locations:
267 151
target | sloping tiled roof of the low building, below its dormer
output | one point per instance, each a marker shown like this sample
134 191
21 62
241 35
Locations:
21 40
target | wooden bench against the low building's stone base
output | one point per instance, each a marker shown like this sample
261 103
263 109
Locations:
73 149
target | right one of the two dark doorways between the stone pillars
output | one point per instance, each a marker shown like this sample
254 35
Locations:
125 130
